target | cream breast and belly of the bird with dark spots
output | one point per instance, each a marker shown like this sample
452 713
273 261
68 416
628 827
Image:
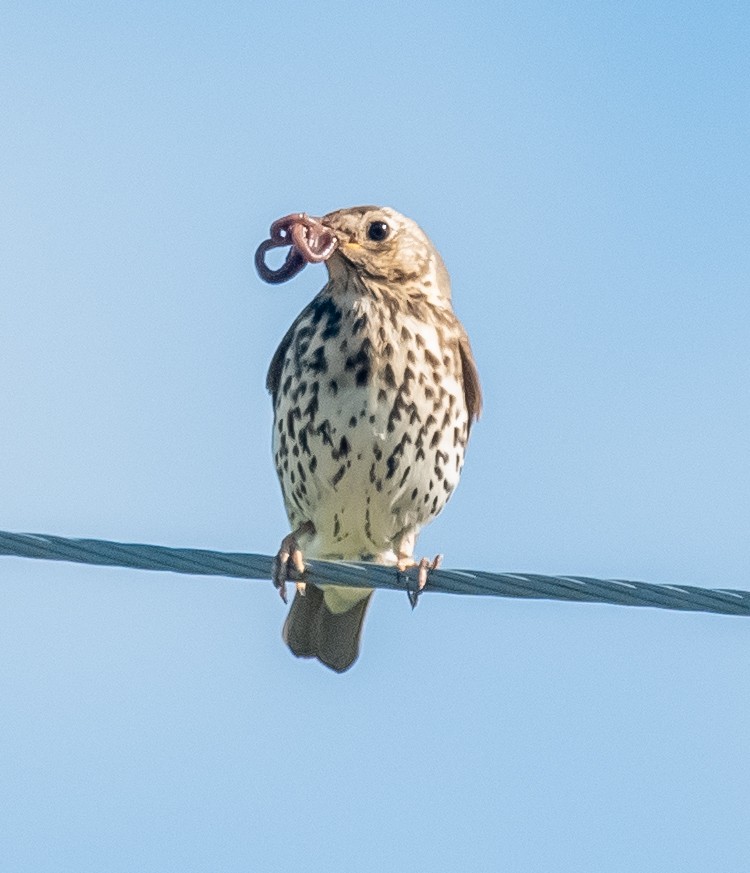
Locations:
370 417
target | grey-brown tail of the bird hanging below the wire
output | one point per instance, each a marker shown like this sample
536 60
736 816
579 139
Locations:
313 629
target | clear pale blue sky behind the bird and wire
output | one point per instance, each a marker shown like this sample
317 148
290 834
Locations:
583 168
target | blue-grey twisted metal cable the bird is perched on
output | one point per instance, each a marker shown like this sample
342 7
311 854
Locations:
203 562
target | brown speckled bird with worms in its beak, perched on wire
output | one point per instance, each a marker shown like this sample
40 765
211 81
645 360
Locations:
375 390
